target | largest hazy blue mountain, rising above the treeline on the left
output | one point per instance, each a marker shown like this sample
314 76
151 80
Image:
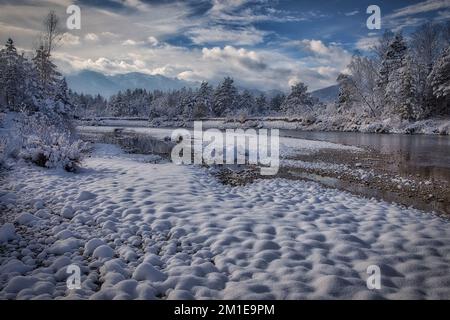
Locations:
92 82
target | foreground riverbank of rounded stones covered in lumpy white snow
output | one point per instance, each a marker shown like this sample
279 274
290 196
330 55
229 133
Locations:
142 230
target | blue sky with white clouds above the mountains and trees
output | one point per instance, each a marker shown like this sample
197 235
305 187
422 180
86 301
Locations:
261 44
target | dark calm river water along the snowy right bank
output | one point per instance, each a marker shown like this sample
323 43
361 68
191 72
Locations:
427 155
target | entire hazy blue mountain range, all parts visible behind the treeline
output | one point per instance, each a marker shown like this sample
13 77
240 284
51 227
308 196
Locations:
92 82
